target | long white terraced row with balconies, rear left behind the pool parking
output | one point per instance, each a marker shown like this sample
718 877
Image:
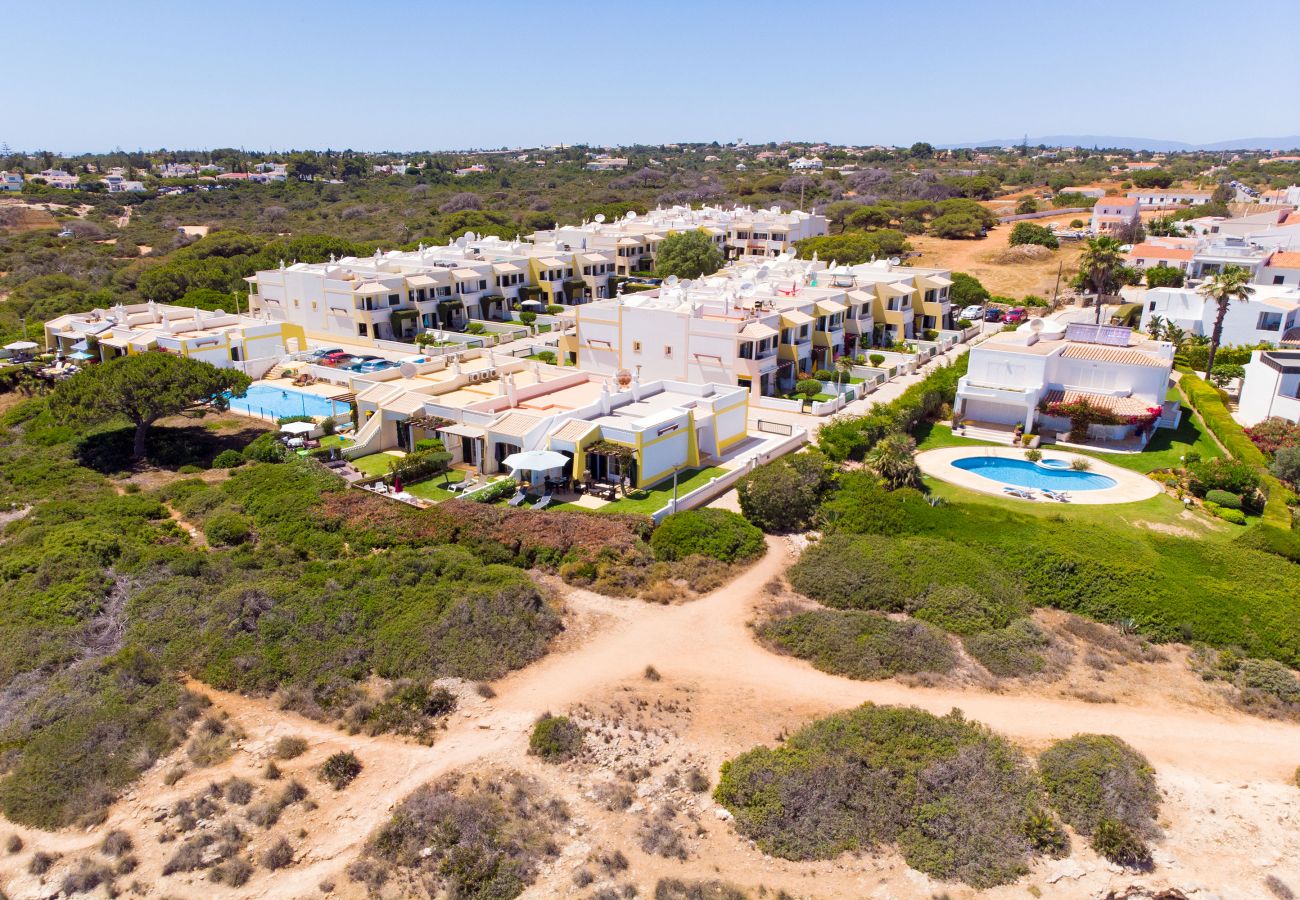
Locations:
397 296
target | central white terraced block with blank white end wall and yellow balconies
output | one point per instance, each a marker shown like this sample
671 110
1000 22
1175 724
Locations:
761 327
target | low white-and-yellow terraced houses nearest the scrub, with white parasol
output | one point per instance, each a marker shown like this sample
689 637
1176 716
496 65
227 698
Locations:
486 409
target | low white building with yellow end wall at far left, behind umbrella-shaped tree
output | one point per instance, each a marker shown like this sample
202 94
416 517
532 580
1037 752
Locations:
222 339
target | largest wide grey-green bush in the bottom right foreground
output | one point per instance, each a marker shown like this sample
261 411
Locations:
956 799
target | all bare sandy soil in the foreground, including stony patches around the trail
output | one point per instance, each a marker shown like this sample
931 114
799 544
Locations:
1230 812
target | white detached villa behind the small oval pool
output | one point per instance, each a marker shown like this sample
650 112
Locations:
1015 377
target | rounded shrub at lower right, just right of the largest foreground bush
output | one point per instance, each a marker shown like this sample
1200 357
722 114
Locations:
1093 780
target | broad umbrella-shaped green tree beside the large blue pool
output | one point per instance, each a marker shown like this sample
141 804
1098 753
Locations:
144 390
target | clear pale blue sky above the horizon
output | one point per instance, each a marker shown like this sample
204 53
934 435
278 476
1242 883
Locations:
413 76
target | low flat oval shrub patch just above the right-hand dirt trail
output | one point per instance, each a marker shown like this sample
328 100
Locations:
863 646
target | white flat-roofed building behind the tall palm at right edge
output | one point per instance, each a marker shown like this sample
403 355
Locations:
1263 319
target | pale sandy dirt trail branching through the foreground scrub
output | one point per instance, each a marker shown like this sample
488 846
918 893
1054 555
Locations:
742 695
